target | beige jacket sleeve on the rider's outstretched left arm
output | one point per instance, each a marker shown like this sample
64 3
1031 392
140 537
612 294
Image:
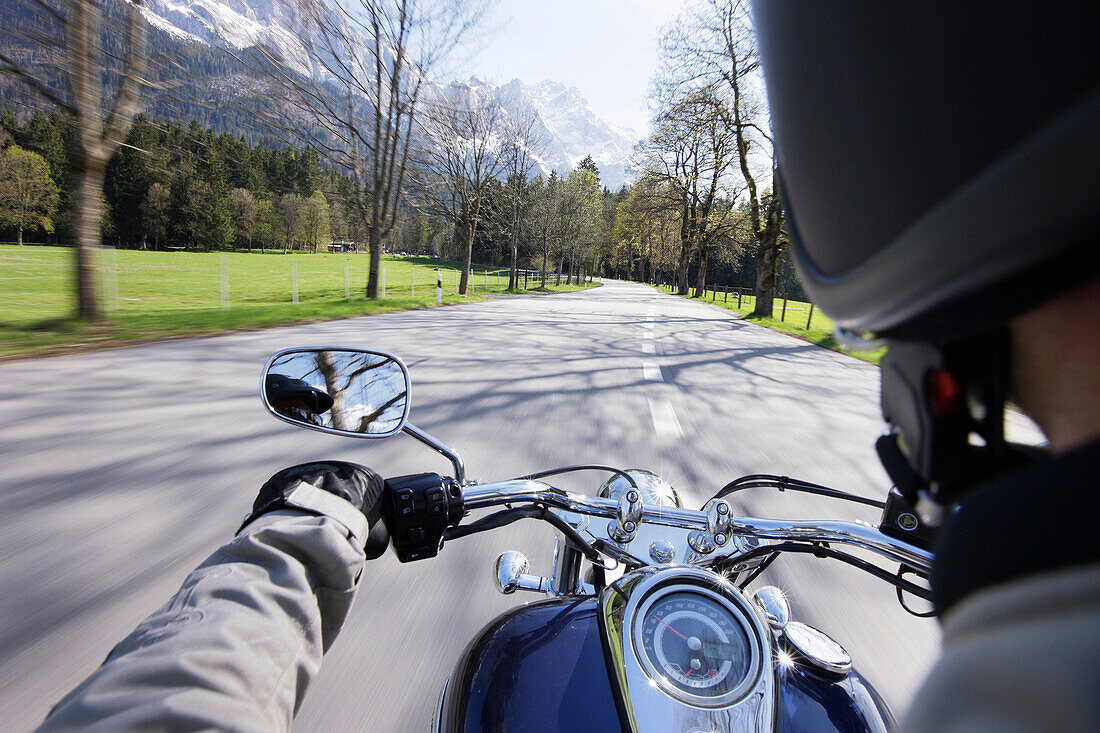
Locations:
237 648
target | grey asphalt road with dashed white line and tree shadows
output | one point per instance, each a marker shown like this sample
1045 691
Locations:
125 468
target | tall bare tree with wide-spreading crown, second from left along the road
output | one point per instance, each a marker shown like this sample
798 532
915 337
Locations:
369 60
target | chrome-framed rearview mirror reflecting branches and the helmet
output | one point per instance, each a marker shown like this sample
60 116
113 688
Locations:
351 392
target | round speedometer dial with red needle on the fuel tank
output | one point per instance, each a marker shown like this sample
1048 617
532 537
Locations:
695 648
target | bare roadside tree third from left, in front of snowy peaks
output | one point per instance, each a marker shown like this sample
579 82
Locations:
459 159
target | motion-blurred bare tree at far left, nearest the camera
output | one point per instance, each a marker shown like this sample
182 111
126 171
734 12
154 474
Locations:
72 32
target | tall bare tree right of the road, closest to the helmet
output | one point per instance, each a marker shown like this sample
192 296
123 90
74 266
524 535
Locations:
717 46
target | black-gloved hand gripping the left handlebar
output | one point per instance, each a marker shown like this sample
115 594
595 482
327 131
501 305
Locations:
306 488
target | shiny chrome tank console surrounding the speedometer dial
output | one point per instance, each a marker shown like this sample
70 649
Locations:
650 707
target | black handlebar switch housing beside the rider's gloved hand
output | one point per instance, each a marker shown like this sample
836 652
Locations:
417 510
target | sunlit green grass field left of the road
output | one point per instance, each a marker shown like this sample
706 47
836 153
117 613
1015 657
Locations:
169 294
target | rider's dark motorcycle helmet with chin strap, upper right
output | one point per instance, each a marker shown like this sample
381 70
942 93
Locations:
938 170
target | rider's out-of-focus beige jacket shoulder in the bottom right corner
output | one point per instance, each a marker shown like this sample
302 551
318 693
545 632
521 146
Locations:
1024 657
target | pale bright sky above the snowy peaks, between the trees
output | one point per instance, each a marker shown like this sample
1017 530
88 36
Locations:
607 49
